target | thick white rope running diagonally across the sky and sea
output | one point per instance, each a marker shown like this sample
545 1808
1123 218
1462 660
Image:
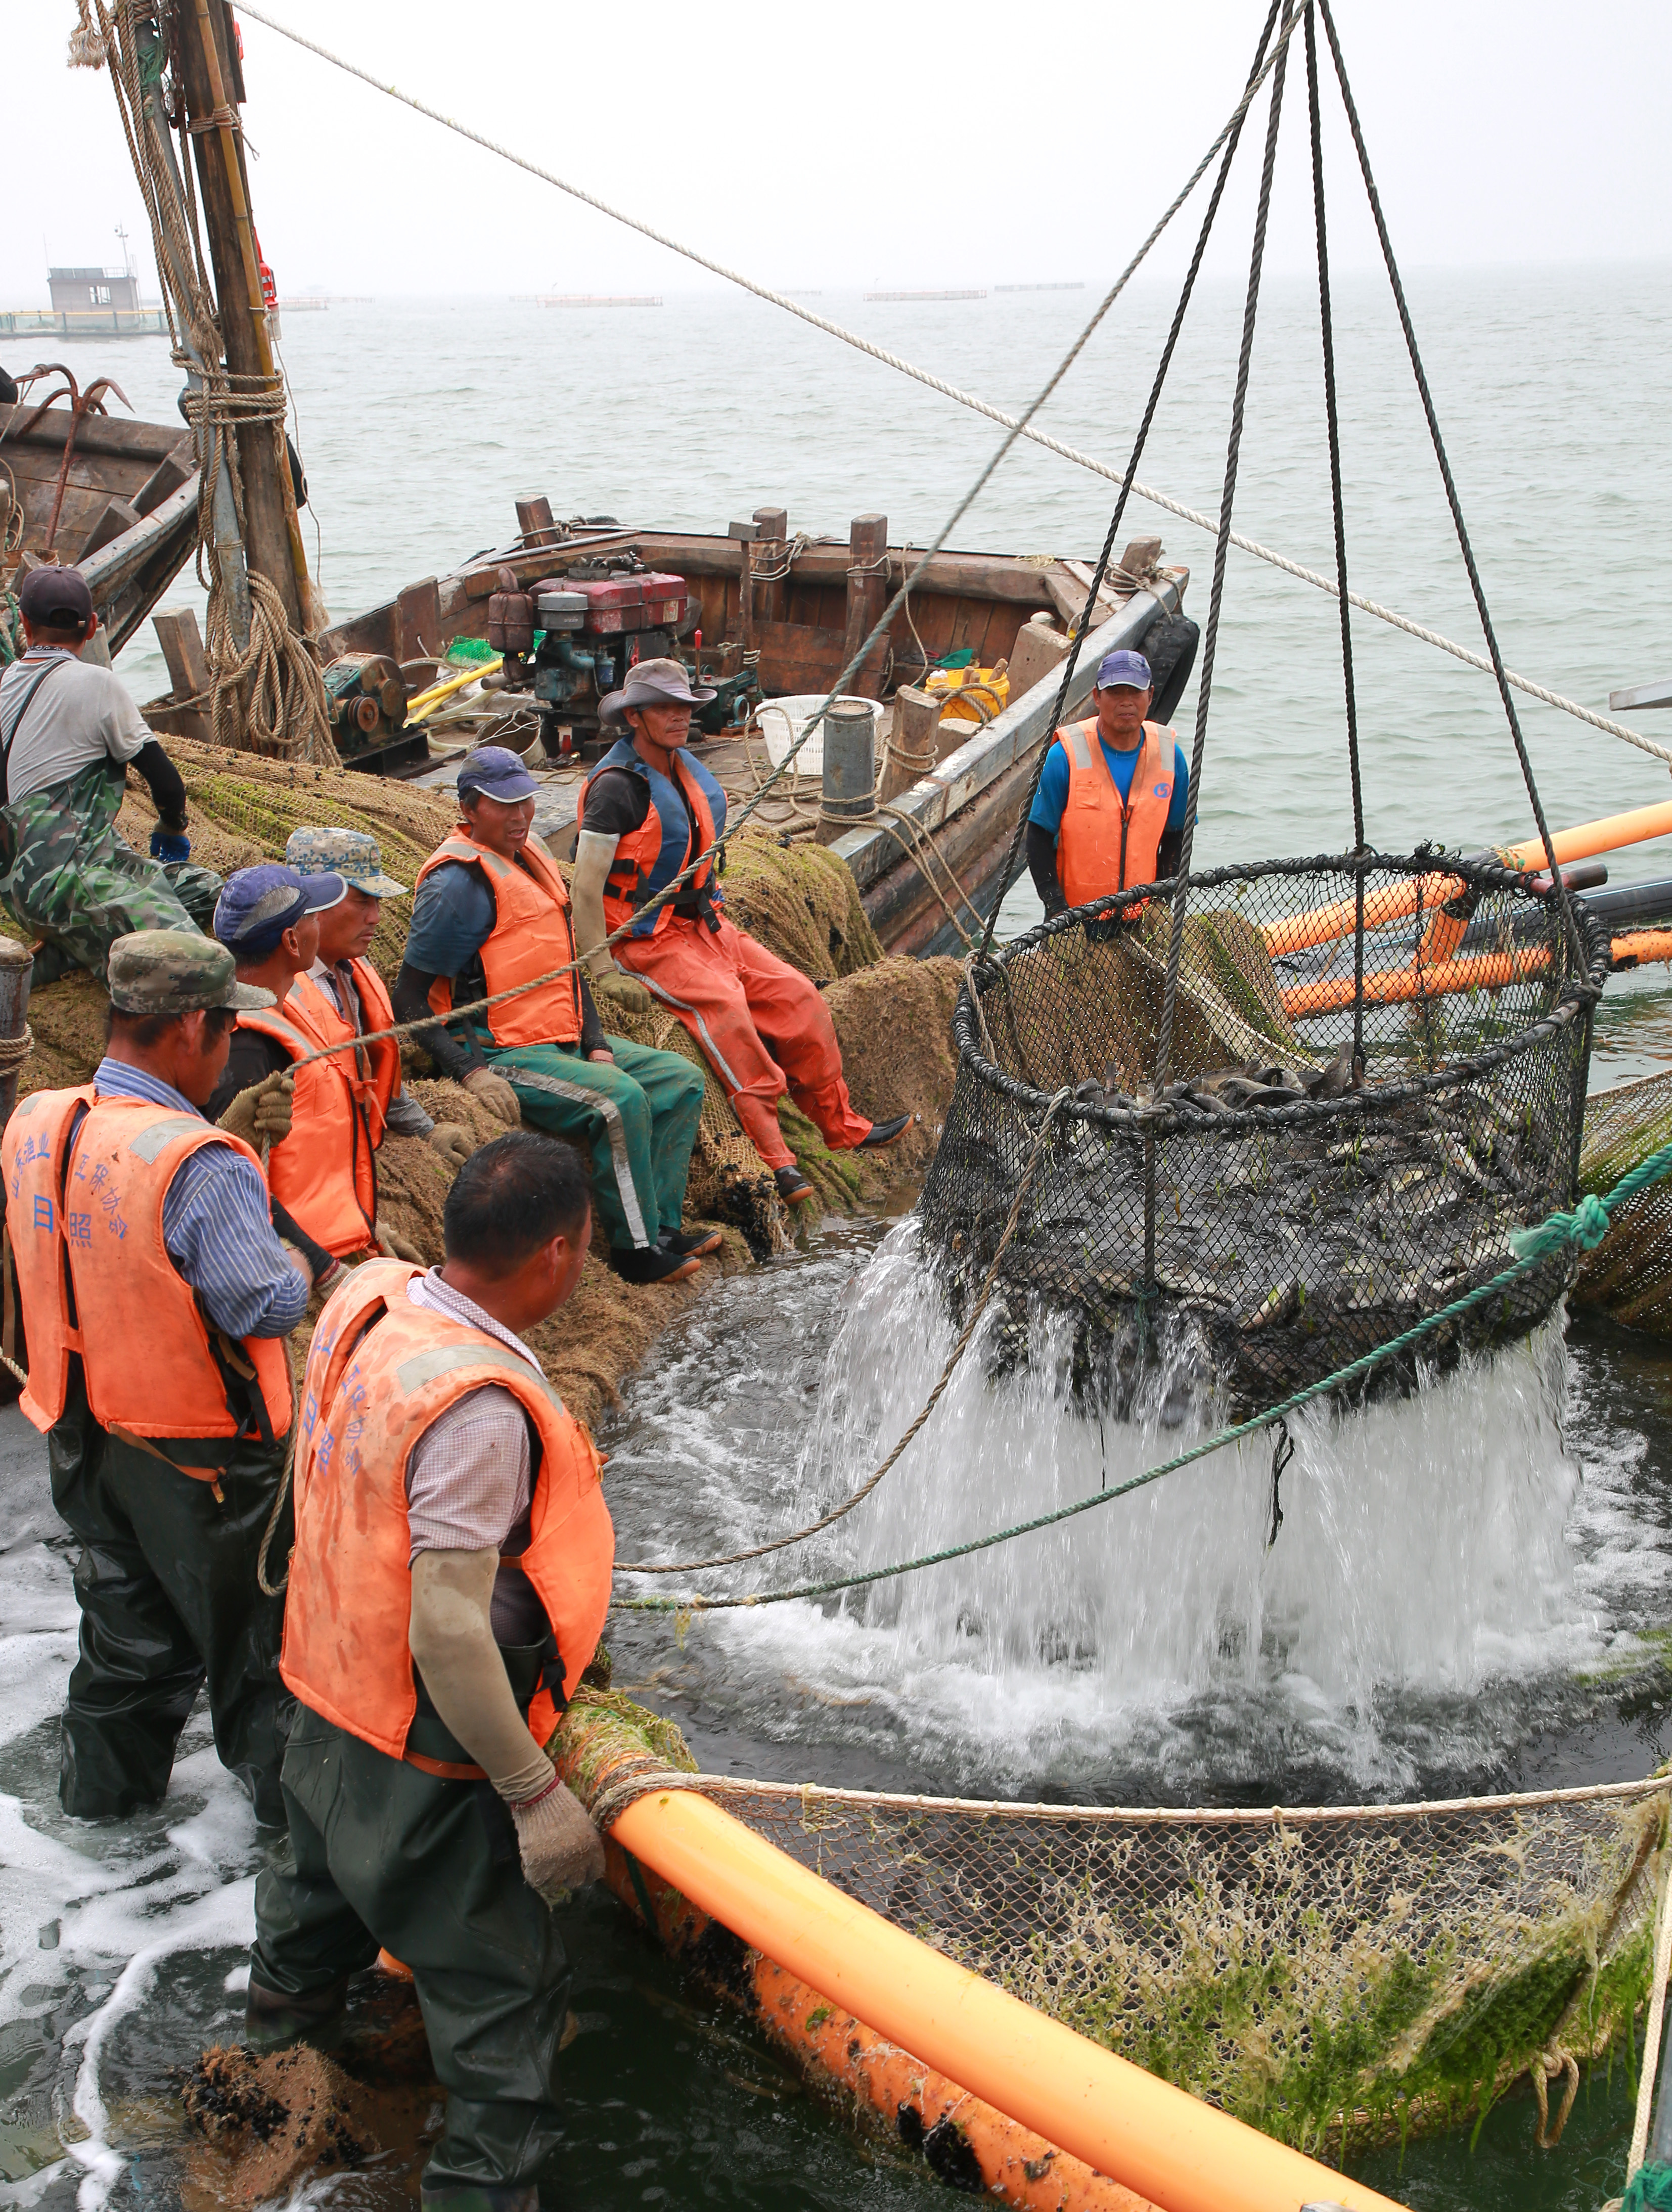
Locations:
970 399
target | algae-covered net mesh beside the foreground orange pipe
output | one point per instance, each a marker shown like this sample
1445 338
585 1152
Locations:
1350 1972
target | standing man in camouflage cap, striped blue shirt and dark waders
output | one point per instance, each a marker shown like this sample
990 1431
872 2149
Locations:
156 1302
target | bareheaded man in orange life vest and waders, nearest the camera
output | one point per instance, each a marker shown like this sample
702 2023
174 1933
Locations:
448 1592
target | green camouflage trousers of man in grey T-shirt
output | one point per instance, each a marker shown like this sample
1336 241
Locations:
81 886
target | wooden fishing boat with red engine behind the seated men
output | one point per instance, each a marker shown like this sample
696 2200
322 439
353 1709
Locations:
762 616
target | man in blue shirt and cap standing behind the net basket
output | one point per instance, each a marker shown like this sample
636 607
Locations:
1111 797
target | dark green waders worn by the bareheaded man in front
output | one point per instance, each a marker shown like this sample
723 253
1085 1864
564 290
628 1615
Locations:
386 1855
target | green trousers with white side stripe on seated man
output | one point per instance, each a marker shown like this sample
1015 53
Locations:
636 1120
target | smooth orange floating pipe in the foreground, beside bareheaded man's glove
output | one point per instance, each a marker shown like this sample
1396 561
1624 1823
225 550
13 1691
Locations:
1122 2122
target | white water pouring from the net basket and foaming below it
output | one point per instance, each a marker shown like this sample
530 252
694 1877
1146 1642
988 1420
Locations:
1434 1554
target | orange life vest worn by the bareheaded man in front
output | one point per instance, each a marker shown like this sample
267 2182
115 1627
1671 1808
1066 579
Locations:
379 1373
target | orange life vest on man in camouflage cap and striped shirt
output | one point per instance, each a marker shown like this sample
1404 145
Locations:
85 1193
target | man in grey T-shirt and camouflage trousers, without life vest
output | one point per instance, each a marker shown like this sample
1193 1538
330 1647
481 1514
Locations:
67 735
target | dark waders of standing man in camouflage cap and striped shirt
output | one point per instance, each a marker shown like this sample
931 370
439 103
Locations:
169 1598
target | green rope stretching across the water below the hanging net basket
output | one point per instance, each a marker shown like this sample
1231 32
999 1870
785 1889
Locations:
1585 1229
